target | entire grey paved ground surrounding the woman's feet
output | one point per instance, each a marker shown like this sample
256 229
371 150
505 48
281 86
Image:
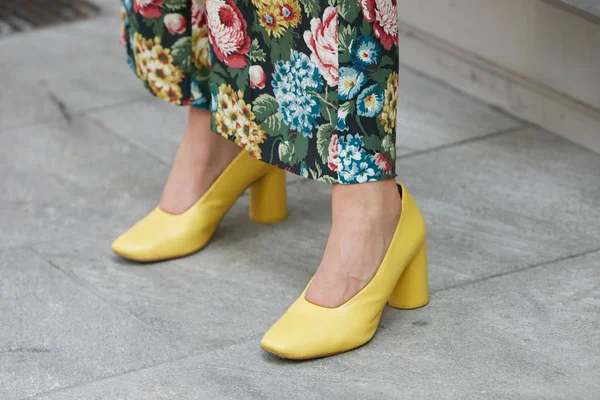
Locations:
514 239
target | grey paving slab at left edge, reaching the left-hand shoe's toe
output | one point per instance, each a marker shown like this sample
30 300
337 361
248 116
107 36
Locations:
72 179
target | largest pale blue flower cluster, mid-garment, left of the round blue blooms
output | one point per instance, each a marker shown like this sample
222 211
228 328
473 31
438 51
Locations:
295 84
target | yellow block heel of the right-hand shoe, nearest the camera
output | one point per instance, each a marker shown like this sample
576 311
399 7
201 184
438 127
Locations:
412 289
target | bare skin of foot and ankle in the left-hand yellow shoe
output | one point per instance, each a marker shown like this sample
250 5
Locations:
200 159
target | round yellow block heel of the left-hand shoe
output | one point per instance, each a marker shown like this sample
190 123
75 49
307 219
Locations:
268 198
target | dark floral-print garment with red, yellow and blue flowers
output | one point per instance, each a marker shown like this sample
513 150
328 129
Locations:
309 86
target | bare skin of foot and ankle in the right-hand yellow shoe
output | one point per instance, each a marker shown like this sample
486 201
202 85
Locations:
364 218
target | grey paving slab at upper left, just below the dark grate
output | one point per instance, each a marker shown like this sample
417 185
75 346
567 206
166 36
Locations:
59 71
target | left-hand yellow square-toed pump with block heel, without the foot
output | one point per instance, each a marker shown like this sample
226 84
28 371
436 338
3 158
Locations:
161 236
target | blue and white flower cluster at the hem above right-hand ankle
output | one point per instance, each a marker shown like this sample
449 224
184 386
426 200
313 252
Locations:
356 166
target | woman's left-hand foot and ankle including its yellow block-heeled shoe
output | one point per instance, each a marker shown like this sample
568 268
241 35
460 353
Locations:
207 166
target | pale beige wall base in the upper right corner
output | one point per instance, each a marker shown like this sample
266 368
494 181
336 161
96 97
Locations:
537 59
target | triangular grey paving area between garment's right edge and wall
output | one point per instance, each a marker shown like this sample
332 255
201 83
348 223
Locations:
431 115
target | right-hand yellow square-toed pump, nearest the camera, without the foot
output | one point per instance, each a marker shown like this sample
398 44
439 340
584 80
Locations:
307 330
